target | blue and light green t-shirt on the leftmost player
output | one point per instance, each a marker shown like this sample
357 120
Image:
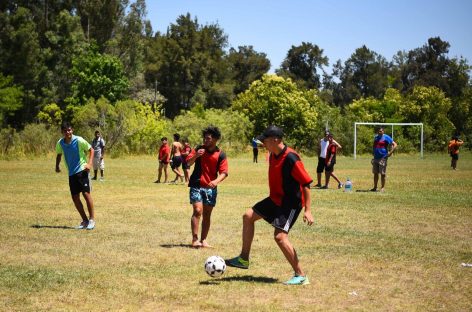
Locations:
75 153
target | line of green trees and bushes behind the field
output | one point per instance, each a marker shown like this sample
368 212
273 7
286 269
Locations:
99 64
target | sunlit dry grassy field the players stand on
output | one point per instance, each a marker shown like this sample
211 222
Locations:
395 251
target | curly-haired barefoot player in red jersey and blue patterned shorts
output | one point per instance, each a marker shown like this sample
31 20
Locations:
211 168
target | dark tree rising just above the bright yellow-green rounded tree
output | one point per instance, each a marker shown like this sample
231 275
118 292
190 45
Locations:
303 64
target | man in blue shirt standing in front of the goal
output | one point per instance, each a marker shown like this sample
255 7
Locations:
381 154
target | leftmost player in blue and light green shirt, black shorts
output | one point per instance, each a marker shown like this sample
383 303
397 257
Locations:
76 150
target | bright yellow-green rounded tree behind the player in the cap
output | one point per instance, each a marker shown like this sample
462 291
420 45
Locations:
275 100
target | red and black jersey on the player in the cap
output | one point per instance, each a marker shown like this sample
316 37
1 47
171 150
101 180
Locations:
287 177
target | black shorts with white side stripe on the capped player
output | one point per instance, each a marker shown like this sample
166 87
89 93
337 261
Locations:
282 218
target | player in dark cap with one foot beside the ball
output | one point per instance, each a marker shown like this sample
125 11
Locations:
289 185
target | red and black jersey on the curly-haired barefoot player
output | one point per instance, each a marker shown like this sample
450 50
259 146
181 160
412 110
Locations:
207 167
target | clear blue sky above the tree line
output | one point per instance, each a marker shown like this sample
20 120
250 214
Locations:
337 27
